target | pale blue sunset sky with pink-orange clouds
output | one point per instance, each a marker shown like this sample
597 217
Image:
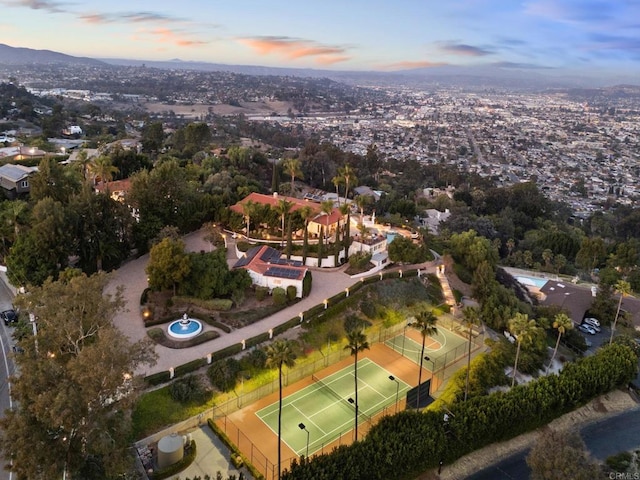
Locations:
596 37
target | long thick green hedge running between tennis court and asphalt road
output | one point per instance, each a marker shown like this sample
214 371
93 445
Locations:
403 446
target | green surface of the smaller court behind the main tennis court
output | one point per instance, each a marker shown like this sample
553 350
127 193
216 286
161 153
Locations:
449 345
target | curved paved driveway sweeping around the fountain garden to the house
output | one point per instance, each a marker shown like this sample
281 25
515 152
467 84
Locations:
132 276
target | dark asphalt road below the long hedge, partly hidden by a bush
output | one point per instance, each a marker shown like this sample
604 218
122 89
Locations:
603 438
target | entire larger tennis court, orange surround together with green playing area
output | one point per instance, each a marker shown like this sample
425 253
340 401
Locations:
323 412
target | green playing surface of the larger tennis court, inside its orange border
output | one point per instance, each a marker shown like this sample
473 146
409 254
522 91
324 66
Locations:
324 408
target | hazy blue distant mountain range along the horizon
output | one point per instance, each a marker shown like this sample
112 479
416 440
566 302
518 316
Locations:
479 77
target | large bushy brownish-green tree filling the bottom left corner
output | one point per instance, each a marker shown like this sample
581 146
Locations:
75 389
